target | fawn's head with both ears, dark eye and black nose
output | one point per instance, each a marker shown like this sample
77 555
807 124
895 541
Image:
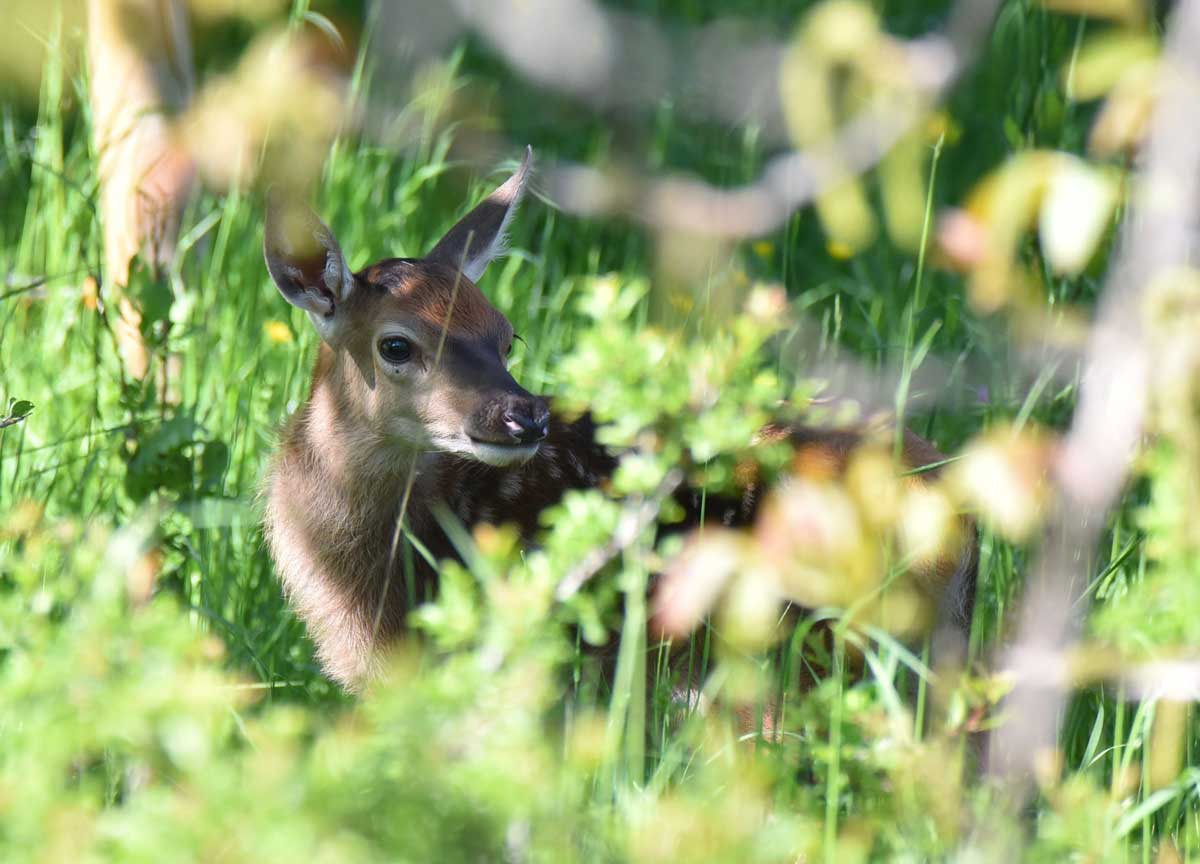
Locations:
413 355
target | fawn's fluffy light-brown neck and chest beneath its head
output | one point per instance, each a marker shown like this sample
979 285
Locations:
333 517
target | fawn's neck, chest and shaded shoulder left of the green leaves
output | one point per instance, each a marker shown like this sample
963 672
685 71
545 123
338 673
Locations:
333 523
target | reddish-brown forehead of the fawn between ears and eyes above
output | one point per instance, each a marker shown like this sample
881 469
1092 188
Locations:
436 296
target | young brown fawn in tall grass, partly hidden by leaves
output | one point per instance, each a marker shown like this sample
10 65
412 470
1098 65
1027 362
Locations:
412 409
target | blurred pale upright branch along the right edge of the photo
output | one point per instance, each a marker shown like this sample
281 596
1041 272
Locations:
1095 461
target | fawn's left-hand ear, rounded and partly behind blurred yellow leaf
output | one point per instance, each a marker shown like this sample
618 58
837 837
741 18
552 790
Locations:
305 262
